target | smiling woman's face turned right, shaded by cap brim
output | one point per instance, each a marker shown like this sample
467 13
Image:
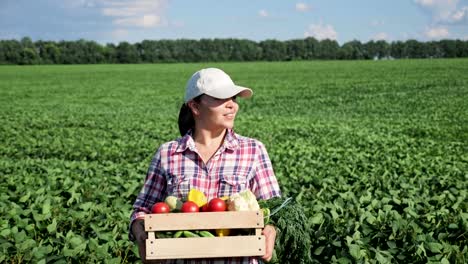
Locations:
216 113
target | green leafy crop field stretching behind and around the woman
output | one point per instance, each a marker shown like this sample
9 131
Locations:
376 151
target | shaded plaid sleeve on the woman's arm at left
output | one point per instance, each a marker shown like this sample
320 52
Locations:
153 190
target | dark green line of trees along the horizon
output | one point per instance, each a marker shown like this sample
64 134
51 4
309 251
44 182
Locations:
27 52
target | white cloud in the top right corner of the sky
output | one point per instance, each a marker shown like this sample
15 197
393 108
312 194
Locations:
445 11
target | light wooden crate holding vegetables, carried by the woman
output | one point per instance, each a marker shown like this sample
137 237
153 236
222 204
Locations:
204 247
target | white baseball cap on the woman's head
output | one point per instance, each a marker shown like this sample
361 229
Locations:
213 82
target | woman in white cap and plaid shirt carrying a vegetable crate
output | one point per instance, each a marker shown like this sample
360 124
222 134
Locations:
209 157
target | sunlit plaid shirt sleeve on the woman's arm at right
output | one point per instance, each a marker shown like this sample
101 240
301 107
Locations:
264 185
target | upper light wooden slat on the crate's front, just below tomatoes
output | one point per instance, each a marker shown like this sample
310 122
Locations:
203 221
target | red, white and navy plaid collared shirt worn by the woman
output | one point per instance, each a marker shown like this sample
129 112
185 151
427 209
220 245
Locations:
240 163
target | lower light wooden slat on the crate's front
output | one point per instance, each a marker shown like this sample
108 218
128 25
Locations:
205 247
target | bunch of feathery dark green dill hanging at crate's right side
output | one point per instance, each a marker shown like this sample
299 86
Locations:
293 242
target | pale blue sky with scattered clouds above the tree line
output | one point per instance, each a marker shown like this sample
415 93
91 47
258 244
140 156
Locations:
135 20
